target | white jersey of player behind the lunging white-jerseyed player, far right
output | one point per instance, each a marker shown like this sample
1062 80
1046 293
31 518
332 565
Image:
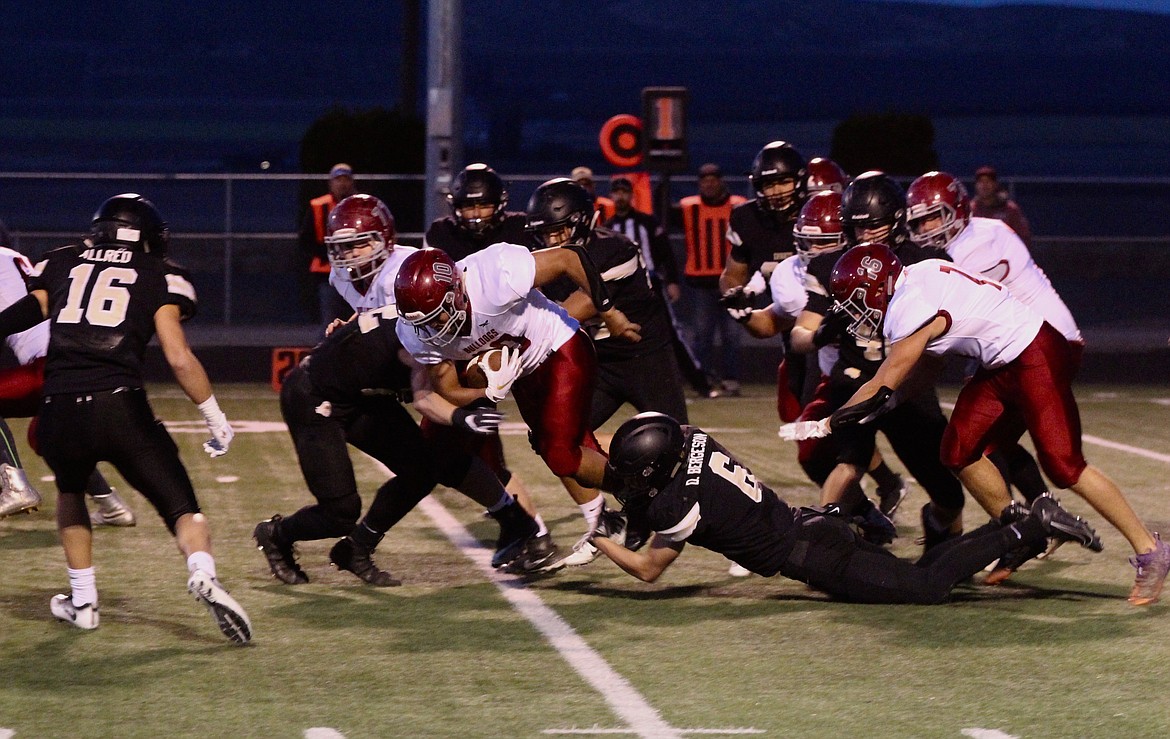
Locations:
990 248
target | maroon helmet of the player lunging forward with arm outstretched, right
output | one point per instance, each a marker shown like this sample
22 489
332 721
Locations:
863 284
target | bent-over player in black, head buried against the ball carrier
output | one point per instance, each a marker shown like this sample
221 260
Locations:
349 391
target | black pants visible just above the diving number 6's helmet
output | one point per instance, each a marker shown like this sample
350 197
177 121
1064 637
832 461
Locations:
648 383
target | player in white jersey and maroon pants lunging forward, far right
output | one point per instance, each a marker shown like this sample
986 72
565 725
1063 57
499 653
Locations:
937 308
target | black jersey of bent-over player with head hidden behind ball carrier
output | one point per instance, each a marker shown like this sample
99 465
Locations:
361 358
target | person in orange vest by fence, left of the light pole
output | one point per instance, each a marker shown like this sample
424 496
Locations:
321 300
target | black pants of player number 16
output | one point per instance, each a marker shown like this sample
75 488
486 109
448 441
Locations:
75 432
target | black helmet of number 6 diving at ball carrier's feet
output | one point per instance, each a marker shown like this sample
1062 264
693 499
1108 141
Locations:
644 455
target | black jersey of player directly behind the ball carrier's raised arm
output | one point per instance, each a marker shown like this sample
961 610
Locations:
621 265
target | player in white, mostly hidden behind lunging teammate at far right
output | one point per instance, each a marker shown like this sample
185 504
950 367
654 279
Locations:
939 217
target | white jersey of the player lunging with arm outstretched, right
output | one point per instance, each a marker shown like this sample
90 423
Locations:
983 320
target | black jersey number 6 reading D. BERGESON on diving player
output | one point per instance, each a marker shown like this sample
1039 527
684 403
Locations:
715 502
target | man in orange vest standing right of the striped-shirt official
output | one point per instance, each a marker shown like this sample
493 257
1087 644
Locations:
705 223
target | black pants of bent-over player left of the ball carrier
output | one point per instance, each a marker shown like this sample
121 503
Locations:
380 427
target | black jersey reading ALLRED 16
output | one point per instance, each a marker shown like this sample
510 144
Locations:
102 305
